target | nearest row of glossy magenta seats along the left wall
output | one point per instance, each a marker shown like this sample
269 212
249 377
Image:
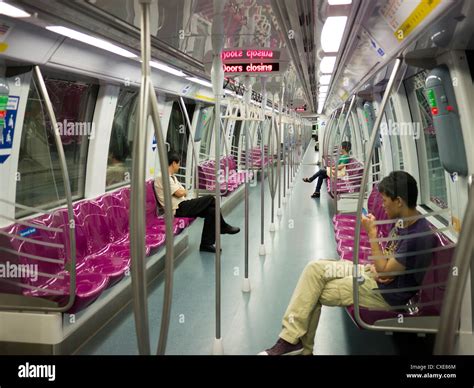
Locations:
101 227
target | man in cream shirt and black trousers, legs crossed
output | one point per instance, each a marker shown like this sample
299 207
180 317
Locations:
199 207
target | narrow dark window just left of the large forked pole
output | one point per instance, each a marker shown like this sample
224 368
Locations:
119 162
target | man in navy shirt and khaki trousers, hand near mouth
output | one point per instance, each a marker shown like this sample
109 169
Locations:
329 282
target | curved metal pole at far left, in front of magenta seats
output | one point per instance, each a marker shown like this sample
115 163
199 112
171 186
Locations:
67 191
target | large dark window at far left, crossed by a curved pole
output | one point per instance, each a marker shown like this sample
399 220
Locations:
41 183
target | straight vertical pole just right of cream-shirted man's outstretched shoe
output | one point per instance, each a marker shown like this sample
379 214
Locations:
246 123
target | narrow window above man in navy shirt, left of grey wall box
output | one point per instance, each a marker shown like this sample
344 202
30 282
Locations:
435 171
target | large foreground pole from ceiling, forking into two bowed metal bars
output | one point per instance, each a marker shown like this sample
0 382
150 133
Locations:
148 102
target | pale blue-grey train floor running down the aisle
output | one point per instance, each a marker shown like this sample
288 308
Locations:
251 322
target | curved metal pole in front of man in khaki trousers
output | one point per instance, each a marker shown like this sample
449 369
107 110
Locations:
373 138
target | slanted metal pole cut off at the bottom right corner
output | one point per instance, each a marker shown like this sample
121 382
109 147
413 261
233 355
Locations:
451 307
